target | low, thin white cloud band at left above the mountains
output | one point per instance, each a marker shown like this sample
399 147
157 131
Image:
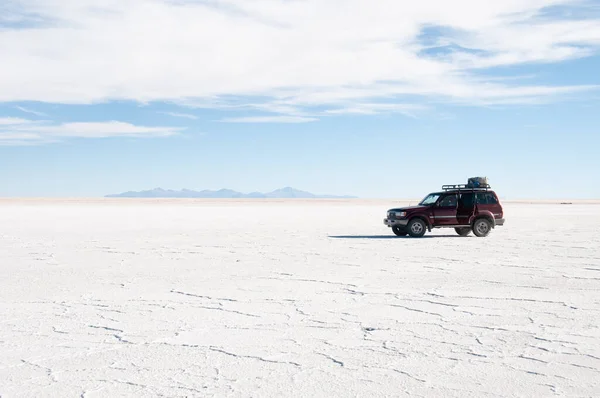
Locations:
25 131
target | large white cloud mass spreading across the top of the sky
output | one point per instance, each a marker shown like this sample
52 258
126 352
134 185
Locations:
290 55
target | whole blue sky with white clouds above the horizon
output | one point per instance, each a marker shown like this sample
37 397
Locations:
262 95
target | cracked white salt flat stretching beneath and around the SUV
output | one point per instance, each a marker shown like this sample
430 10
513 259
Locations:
278 298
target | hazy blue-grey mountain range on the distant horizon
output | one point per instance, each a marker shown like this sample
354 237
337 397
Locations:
283 193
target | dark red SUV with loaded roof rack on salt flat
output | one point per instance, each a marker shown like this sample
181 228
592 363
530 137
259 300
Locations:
463 207
